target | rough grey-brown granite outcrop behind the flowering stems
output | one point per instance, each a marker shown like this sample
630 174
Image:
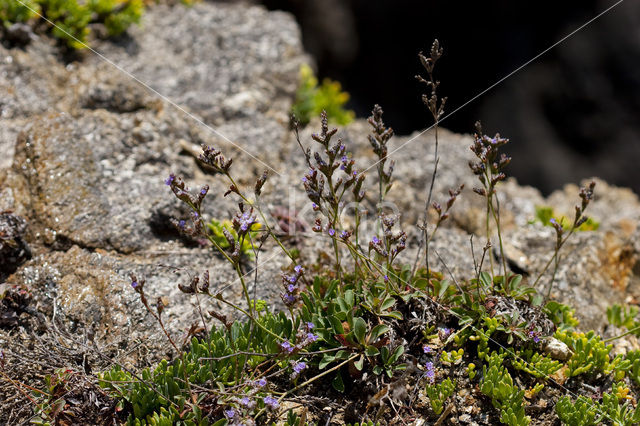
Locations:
87 149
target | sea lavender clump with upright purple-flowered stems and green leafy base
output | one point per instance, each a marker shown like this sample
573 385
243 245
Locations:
396 342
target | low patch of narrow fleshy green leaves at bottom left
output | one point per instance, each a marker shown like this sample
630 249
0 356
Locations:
219 360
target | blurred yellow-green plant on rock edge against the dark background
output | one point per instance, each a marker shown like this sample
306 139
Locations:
312 99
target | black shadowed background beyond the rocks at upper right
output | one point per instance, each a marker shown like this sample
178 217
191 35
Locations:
571 114
